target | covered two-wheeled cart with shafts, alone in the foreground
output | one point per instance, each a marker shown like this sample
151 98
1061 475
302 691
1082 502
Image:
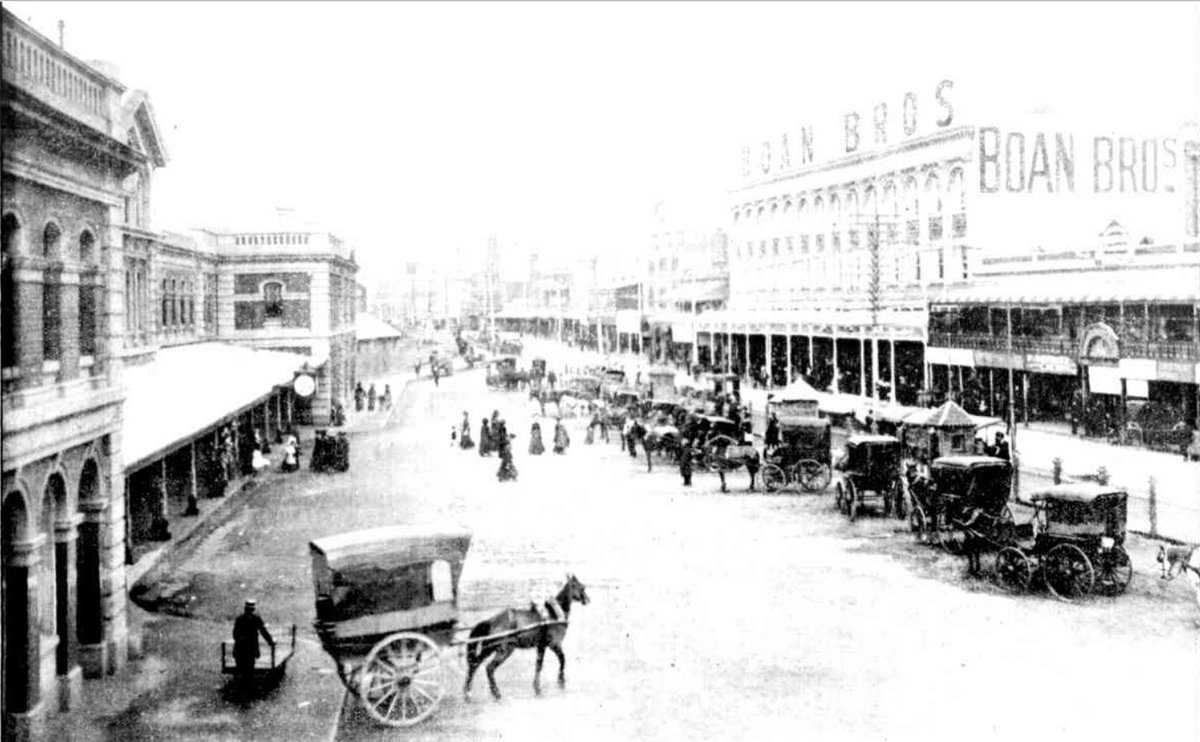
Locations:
388 614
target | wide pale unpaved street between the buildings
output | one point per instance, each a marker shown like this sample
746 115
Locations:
713 617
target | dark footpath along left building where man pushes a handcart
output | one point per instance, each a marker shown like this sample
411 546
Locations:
173 691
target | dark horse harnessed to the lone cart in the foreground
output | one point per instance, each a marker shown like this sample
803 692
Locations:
525 630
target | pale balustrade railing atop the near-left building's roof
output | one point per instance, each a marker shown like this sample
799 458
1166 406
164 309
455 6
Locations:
34 64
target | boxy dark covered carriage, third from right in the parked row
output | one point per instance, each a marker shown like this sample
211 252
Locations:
871 474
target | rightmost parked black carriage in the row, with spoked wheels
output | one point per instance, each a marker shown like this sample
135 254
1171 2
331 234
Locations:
1075 543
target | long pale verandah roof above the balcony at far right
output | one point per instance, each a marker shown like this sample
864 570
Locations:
1178 284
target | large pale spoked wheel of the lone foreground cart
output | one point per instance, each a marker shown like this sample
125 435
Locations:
403 680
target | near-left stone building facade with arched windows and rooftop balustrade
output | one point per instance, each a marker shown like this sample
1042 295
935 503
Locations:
79 151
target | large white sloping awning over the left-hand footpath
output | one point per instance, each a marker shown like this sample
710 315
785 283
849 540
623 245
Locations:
188 390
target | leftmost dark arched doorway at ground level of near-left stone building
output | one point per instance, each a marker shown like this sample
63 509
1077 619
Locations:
21 677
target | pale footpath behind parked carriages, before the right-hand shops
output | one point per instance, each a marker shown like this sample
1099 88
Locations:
1165 490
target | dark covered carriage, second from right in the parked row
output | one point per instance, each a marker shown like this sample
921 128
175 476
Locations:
957 486
